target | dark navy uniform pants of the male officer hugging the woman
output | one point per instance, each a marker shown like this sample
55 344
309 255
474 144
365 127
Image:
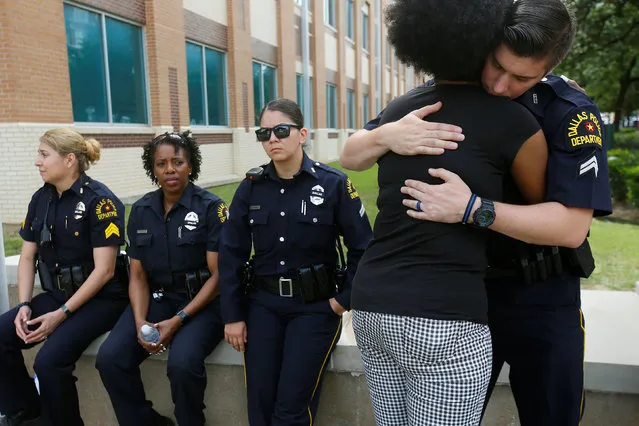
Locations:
545 351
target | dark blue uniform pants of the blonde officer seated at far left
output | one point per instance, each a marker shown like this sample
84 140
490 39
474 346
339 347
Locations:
55 362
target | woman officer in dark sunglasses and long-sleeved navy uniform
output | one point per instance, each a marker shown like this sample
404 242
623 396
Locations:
291 211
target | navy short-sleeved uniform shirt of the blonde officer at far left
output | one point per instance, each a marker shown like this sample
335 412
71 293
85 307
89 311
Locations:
85 216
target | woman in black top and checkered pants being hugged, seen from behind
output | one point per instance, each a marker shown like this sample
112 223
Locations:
418 298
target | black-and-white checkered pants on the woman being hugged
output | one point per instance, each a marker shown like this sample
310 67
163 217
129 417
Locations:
424 372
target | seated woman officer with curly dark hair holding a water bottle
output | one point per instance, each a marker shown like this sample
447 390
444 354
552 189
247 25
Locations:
173 237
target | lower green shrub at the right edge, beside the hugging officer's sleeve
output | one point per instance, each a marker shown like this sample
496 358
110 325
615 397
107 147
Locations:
622 165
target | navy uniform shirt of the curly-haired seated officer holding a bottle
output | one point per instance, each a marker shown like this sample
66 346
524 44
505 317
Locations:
178 243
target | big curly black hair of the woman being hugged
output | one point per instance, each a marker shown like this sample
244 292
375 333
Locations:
449 39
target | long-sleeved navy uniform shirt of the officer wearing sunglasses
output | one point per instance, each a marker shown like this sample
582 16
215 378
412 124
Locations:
291 224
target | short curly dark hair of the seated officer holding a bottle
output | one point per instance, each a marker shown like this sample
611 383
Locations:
184 140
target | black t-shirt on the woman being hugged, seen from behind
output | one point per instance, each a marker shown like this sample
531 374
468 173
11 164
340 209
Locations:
436 270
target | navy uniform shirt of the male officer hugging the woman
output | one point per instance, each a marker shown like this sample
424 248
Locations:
577 176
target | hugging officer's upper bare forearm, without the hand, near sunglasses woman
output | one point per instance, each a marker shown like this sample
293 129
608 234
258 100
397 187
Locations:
362 150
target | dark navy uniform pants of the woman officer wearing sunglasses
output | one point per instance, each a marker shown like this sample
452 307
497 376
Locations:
289 344
